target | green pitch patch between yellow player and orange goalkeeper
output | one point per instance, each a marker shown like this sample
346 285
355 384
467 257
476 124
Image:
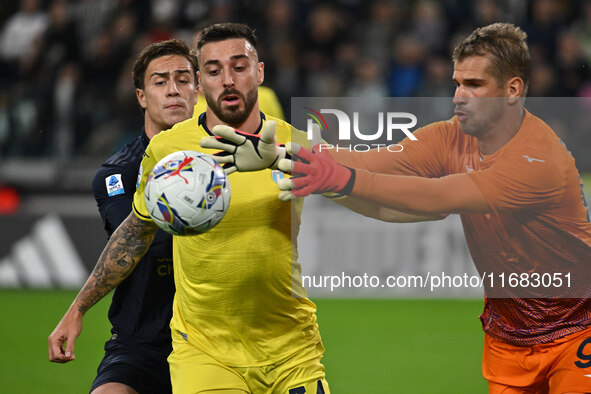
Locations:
402 346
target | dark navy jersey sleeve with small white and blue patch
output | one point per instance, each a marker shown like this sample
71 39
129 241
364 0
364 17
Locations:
113 189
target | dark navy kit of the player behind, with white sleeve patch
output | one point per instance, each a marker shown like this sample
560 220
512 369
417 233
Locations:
141 307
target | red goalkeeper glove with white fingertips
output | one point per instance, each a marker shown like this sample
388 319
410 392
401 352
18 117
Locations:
313 172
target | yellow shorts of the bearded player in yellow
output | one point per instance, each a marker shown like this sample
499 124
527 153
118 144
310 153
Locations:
193 371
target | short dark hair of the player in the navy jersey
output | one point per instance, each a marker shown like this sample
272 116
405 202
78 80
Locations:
156 50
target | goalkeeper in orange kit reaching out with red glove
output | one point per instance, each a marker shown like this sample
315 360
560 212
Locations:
518 192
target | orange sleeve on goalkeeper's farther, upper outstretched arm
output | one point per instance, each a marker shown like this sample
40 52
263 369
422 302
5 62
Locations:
421 157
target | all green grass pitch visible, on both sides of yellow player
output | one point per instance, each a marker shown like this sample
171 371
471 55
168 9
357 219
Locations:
373 346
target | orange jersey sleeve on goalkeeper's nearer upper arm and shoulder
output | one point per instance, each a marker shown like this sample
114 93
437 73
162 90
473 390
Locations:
528 180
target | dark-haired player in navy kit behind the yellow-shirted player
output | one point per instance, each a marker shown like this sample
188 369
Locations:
141 308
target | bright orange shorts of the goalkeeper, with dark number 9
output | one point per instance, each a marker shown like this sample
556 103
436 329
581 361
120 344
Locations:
560 366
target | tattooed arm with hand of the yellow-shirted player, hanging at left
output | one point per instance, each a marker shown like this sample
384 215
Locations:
125 248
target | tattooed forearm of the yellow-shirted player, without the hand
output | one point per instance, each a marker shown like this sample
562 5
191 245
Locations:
125 248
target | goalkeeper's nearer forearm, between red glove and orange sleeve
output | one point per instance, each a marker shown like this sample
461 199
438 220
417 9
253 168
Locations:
422 196
